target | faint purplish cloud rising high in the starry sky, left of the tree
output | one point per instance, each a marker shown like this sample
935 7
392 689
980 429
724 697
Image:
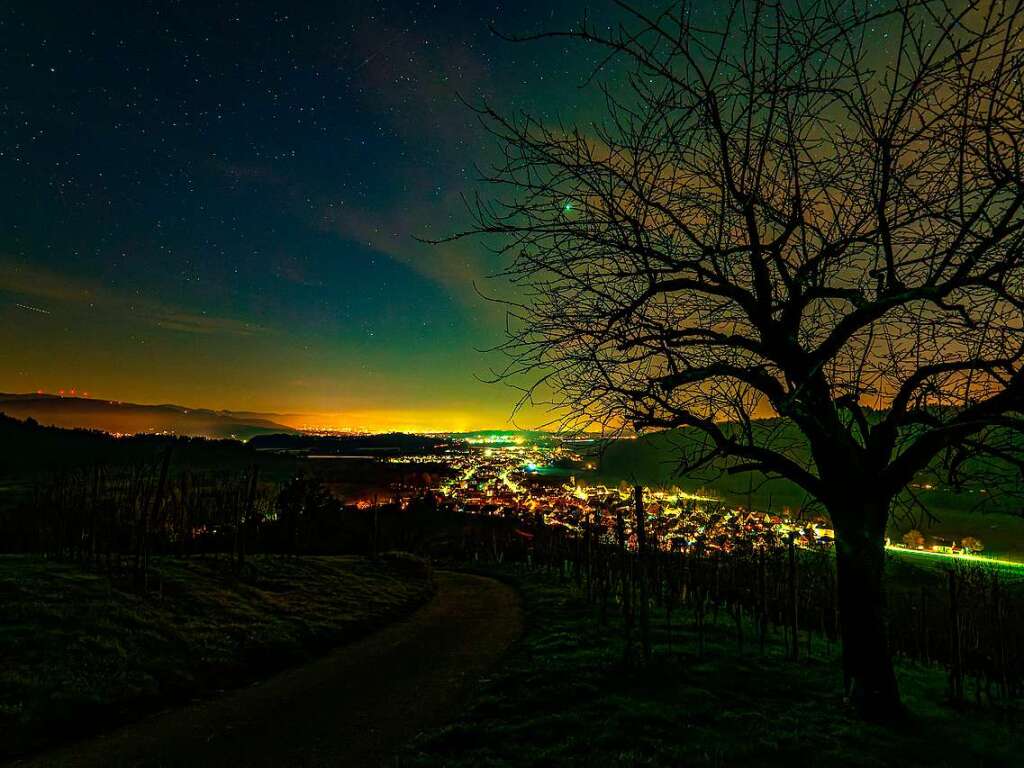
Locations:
413 78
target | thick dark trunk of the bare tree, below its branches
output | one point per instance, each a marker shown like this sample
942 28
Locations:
868 668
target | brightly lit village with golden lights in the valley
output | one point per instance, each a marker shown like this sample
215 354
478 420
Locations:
506 476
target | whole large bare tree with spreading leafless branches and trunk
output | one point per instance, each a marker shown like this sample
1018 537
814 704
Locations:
797 233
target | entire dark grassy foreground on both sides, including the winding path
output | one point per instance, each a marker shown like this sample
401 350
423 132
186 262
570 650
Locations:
86 653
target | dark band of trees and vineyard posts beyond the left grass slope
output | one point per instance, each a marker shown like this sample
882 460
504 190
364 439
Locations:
115 518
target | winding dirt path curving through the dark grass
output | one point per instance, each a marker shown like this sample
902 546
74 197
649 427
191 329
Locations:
352 708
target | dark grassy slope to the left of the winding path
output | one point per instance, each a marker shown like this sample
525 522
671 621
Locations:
79 652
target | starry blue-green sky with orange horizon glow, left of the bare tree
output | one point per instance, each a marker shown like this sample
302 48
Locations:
215 204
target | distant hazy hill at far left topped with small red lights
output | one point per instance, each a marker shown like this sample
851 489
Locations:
131 418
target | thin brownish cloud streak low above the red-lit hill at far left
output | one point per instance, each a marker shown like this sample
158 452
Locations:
44 286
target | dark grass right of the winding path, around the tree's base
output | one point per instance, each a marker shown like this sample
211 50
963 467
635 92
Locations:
565 698
